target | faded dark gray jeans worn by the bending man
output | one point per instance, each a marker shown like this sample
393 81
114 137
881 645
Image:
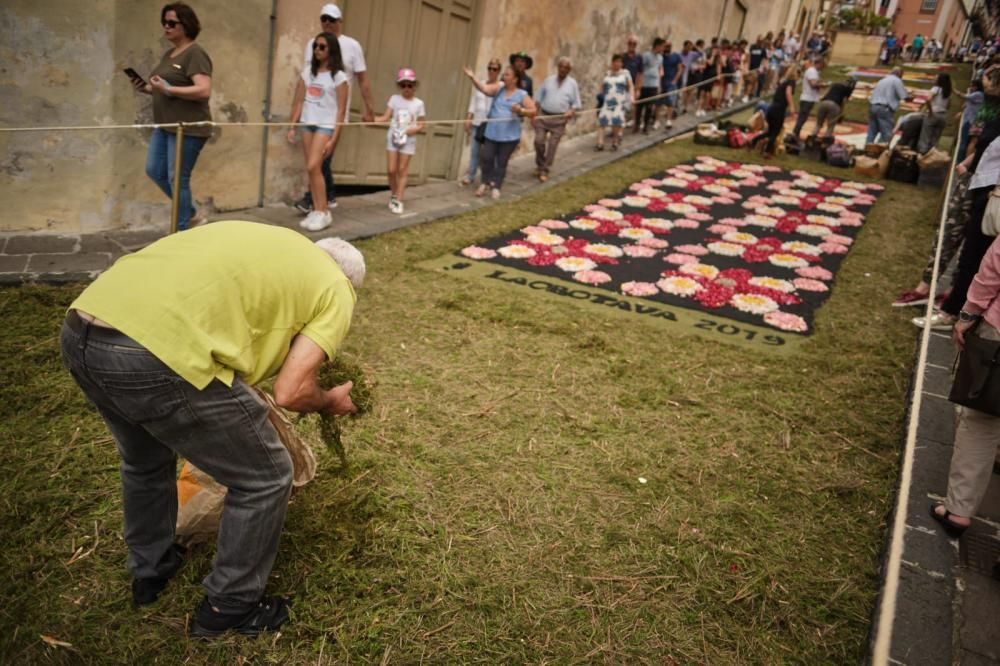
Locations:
154 416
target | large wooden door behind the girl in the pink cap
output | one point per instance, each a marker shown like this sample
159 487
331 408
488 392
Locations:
433 37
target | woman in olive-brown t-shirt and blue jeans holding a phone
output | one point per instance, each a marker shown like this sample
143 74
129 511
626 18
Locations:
181 86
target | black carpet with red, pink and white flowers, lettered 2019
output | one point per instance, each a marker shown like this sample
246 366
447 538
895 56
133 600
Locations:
739 252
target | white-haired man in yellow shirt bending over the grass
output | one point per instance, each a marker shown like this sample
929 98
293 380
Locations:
166 345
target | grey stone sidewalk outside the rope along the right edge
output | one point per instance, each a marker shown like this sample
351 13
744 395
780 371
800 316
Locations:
948 606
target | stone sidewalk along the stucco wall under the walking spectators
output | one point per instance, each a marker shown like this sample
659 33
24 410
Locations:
39 257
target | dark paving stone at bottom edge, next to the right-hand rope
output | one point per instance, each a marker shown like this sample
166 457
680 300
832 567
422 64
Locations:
923 628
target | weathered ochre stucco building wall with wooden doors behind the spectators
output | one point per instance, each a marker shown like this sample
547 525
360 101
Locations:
61 66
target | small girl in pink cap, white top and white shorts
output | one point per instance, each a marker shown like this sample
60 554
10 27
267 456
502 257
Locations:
405 113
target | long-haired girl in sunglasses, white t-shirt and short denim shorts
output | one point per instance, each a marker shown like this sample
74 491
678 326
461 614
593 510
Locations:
320 101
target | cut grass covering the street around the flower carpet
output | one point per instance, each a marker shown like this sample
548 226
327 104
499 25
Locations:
492 510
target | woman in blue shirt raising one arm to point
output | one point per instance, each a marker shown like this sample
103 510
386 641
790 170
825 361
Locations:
503 127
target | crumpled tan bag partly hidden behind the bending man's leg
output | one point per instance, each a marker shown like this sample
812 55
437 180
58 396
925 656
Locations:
200 497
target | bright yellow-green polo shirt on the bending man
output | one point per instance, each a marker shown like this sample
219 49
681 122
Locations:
225 299
